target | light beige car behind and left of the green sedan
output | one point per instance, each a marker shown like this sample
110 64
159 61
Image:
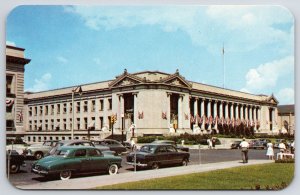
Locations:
38 151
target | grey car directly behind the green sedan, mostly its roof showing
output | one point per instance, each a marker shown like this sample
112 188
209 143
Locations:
77 142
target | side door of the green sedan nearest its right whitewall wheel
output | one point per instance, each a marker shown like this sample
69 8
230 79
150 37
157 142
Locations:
97 160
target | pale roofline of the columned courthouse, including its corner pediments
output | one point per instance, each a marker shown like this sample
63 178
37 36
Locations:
153 77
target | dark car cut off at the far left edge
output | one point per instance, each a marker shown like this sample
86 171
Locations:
14 161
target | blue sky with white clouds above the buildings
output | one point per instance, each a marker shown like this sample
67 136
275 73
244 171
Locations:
73 45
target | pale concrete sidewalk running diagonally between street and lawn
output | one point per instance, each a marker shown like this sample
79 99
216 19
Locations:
96 181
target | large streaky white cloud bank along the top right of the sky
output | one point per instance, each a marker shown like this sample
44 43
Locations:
246 26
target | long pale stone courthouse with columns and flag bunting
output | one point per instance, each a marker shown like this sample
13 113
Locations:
143 103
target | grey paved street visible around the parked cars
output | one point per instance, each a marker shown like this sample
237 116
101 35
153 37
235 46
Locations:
206 156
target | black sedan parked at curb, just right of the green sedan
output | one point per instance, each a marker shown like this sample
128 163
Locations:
157 155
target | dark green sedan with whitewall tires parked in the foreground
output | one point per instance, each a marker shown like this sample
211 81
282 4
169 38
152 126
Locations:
69 160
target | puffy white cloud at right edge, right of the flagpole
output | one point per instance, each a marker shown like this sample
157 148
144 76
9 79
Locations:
267 75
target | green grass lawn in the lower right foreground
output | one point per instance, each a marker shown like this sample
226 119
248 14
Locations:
246 177
